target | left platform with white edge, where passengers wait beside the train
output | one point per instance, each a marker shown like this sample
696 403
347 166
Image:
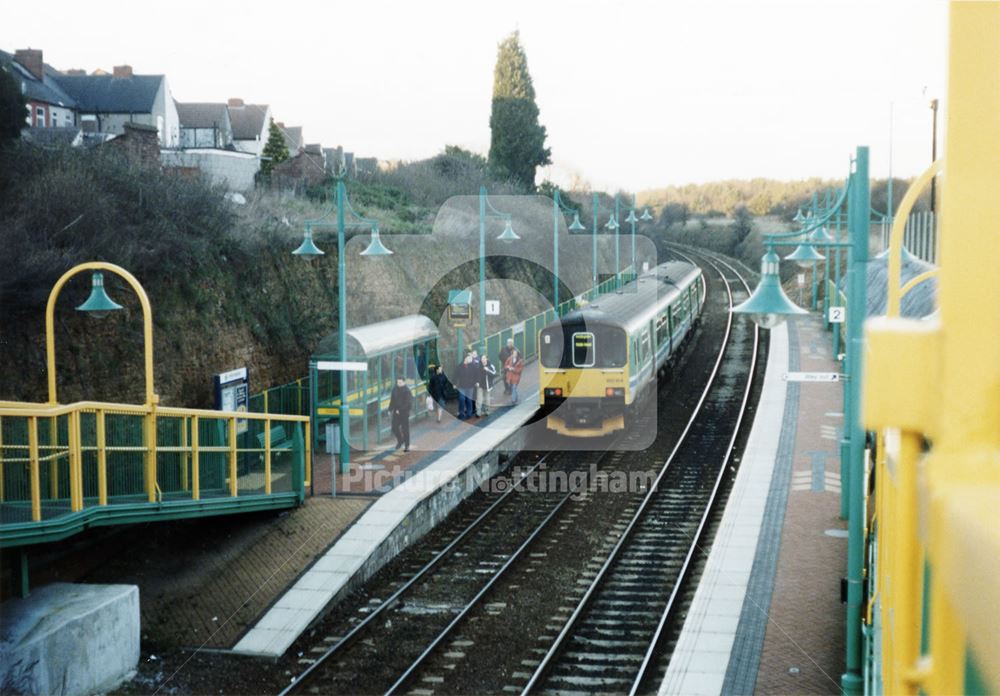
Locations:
414 491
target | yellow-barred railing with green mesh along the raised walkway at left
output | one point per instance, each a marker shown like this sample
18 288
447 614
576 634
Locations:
156 453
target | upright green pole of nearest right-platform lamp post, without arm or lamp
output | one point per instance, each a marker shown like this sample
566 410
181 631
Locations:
851 681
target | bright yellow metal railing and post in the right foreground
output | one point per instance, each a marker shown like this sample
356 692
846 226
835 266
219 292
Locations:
932 391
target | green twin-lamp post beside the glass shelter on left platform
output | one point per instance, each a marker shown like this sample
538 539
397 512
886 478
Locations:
309 250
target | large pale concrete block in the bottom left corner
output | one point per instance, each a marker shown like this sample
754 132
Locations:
69 639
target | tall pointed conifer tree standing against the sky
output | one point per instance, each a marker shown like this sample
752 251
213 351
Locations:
517 142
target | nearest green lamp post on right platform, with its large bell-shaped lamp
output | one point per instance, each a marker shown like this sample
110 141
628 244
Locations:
768 307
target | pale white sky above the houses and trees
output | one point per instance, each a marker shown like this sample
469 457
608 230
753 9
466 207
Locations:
635 95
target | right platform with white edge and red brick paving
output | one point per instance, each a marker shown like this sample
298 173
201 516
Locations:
766 617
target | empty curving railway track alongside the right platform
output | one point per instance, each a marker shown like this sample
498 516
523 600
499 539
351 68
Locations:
610 643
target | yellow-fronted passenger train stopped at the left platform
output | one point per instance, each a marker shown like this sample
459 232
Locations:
601 360
